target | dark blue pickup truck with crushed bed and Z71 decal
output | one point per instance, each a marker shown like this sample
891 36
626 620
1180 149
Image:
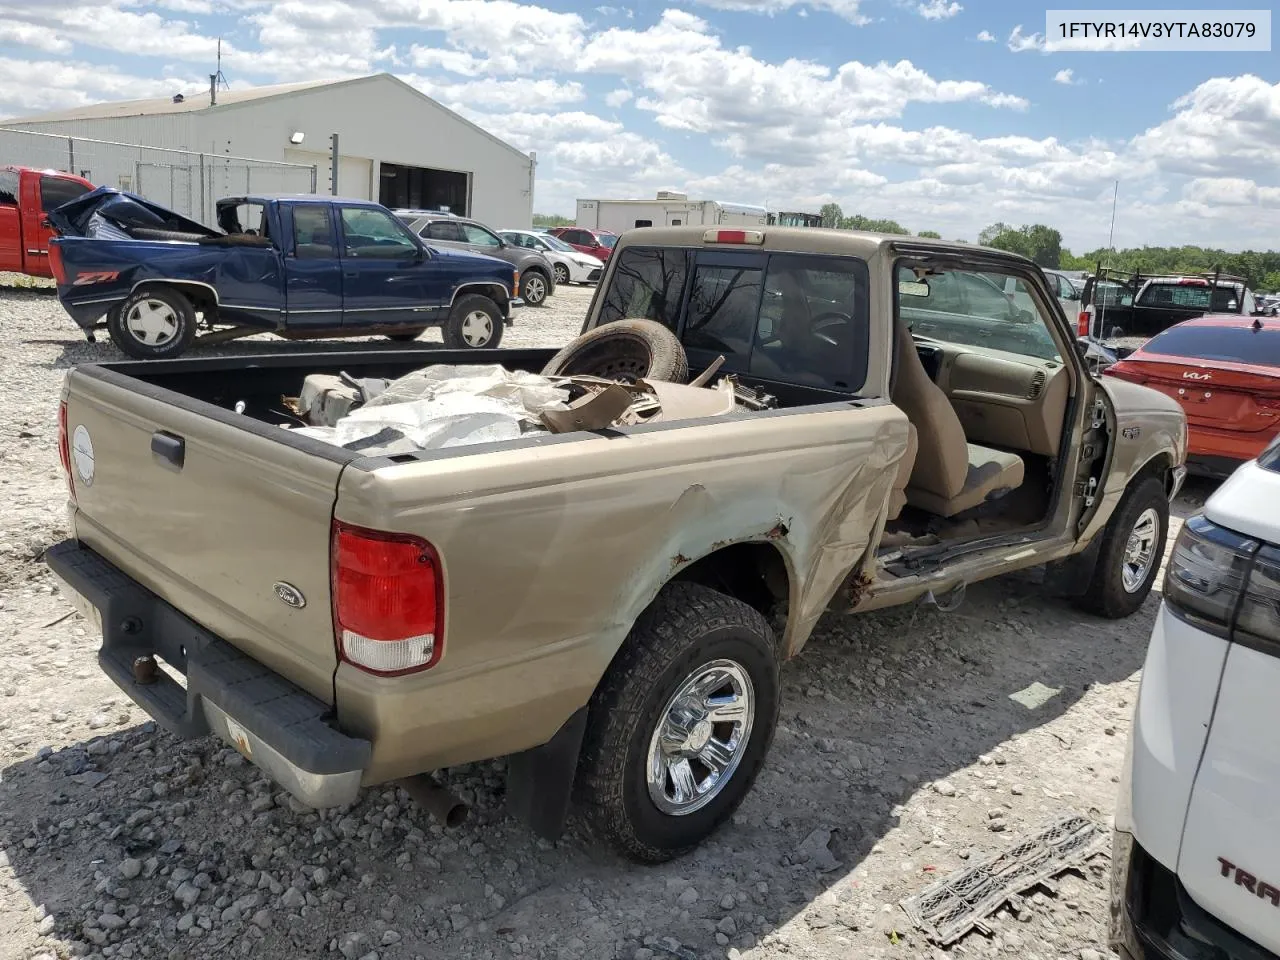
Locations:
299 267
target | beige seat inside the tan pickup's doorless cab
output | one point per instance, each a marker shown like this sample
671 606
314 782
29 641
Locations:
950 476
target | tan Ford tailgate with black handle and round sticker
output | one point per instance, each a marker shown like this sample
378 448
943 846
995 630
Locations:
227 524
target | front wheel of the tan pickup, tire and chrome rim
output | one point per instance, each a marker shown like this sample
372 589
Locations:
1133 546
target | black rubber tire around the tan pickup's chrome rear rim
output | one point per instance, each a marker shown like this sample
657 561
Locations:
685 628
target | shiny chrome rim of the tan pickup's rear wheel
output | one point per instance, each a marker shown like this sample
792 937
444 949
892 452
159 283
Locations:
701 738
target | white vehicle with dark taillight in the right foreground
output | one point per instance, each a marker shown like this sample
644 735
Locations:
1197 835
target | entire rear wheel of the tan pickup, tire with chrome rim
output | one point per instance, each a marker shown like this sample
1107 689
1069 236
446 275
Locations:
680 725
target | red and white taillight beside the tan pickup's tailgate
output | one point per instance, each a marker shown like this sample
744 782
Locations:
388 601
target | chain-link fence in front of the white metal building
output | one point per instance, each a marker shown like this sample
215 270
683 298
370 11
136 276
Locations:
185 181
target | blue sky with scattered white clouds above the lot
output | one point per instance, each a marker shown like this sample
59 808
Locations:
941 115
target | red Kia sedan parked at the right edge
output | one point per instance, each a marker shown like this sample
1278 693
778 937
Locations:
1226 373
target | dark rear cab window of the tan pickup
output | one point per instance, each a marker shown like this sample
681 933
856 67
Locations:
787 318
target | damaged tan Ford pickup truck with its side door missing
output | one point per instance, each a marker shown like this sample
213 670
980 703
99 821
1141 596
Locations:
597 606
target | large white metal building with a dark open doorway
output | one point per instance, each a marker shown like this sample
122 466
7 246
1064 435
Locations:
396 145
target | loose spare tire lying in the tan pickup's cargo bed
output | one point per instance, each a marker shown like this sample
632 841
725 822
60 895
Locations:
624 350
